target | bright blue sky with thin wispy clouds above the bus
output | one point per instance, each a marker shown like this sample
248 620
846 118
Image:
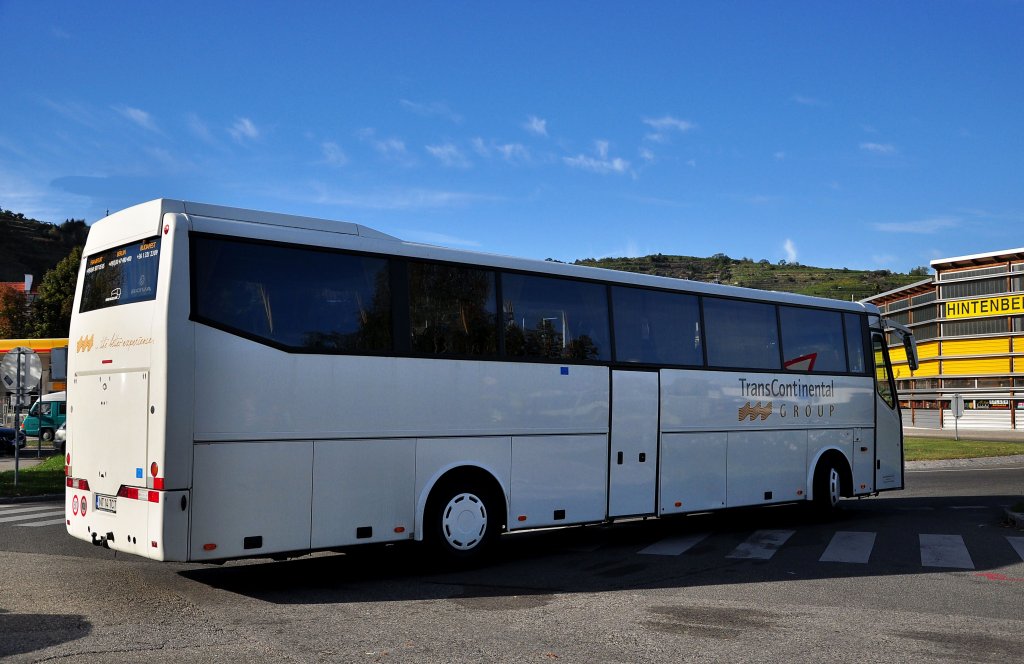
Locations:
860 135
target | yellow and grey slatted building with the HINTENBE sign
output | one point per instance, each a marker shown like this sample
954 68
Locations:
969 323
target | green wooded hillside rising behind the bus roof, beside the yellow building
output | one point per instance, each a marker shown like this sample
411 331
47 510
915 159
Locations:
793 278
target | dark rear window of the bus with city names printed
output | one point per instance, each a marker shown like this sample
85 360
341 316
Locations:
121 276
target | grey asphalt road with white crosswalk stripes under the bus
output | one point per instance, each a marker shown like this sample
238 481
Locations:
928 574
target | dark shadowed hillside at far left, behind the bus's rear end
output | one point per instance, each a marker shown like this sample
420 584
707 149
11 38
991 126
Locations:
32 247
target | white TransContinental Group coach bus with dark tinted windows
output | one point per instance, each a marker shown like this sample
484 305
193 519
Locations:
246 384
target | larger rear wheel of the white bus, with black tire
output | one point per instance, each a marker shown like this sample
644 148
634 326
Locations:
463 521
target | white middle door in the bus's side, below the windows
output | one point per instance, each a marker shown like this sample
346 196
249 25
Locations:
633 463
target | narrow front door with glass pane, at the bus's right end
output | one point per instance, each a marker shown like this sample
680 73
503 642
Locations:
888 427
